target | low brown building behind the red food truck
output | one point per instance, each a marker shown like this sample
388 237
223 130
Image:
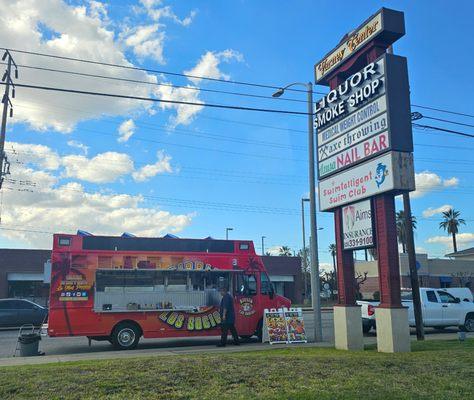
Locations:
25 273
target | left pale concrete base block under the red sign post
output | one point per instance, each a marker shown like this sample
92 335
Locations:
348 328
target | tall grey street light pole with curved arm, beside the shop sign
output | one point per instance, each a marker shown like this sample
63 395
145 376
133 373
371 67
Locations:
315 289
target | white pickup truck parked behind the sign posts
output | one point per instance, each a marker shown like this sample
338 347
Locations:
439 309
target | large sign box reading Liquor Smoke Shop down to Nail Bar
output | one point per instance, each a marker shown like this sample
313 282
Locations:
365 116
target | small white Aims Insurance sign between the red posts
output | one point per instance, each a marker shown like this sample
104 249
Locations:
357 226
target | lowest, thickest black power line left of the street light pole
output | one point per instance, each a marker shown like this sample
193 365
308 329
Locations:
188 103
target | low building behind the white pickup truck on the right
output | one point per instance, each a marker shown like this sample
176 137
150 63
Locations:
432 272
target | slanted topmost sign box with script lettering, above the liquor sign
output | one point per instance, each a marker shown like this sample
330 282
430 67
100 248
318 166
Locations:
387 25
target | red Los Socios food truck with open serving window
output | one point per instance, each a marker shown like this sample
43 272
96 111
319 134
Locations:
122 288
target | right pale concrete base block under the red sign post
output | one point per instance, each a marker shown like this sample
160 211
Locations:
393 332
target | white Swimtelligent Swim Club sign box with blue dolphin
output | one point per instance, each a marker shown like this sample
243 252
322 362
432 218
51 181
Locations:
392 171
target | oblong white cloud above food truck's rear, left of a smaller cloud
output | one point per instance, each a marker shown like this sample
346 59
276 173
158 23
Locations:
103 168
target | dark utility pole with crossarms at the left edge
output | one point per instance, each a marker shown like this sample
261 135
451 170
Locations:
4 164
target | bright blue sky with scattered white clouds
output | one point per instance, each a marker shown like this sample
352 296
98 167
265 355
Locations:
110 166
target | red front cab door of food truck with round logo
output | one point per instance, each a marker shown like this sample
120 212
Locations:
246 303
